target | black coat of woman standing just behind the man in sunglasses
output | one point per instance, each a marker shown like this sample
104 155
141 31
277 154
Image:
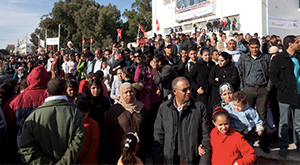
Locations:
199 78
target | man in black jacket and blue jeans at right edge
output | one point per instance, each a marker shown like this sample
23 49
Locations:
284 74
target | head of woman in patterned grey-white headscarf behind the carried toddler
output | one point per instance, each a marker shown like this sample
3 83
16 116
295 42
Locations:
226 94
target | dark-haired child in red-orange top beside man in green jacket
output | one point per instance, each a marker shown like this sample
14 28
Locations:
89 152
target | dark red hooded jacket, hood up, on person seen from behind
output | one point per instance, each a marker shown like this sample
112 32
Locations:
33 96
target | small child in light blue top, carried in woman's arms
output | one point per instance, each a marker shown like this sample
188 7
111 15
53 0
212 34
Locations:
244 119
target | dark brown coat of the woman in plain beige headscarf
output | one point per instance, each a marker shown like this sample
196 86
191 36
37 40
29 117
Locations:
117 123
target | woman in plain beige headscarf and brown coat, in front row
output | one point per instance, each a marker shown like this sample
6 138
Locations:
128 115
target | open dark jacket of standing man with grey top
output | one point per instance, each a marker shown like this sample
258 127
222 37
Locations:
244 66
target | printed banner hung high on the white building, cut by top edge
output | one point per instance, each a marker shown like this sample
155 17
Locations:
187 9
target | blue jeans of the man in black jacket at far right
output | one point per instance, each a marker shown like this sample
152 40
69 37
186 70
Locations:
287 112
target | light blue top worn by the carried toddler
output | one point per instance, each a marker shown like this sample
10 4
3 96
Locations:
245 120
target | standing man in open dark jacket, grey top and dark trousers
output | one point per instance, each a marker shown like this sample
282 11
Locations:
254 82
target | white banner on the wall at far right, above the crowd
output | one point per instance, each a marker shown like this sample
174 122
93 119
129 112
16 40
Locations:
283 22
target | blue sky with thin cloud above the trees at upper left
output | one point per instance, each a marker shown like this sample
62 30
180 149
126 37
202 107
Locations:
20 17
